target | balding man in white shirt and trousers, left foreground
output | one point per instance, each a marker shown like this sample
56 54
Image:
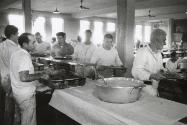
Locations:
23 79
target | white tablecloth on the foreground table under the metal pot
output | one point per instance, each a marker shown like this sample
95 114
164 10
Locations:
81 105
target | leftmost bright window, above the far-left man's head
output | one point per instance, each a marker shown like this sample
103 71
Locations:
18 21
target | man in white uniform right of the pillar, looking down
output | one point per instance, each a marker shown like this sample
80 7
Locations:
148 61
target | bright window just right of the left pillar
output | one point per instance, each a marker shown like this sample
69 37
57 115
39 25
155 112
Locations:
39 26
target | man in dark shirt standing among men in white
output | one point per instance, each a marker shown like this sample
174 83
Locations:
62 48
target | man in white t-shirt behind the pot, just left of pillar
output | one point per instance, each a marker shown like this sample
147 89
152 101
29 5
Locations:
106 56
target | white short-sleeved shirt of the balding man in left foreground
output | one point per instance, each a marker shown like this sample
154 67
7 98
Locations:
21 61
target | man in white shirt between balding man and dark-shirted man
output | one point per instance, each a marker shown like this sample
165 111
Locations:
41 47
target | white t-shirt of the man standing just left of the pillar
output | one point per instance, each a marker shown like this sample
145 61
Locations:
105 57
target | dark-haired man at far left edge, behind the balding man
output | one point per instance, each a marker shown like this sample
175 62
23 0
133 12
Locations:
7 47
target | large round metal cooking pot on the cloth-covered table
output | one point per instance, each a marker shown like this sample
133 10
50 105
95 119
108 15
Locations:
118 90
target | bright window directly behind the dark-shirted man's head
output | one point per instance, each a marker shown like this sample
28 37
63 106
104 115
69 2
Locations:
57 25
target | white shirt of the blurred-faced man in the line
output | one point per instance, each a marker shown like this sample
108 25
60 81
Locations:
83 52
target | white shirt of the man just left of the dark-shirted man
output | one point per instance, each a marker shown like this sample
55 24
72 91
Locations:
43 48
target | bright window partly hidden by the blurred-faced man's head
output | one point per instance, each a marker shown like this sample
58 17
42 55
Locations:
84 25
